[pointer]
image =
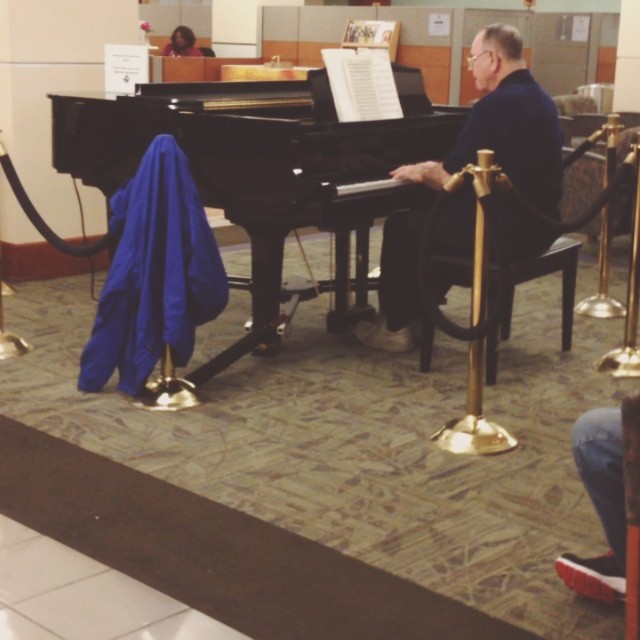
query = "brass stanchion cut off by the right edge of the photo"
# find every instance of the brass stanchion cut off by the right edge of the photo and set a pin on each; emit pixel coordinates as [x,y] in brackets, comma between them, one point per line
[625,361]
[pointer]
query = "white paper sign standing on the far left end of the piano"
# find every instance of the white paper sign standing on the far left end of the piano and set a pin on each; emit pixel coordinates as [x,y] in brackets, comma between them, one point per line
[124,66]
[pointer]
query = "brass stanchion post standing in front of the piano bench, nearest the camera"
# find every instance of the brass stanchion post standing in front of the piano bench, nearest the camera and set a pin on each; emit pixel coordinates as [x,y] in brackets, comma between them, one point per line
[474,434]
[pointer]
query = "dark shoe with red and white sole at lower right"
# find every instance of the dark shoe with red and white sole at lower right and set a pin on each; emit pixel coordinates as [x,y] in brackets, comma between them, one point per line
[597,578]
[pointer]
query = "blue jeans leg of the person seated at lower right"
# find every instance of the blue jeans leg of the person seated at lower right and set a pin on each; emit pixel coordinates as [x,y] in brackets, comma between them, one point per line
[597,449]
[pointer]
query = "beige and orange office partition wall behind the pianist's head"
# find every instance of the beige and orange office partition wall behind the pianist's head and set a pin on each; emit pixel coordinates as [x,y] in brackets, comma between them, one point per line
[560,62]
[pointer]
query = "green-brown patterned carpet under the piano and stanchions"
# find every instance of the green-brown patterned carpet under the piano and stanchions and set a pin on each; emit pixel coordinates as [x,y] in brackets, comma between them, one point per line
[331,441]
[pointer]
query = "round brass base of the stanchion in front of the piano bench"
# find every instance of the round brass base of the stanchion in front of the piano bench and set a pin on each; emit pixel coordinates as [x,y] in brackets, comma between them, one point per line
[473,435]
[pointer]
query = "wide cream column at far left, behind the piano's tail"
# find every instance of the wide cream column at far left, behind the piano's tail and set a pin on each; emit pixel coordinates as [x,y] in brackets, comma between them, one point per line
[51,47]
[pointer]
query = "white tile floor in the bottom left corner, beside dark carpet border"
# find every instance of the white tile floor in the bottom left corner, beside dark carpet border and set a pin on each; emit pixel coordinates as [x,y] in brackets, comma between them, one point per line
[51,592]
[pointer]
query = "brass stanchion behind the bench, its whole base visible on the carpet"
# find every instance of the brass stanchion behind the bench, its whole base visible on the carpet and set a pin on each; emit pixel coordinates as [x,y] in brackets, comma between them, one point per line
[602,305]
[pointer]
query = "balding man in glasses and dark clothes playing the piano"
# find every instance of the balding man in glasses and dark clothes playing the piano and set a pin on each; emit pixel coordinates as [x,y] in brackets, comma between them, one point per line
[517,120]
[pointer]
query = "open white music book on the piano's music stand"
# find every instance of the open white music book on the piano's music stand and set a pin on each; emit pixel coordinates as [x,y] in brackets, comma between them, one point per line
[362,84]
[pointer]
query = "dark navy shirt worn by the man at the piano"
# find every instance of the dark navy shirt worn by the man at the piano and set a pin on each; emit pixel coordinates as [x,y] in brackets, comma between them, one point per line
[519,123]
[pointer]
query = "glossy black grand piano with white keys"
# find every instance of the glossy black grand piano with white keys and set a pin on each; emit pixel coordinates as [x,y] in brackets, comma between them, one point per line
[273,156]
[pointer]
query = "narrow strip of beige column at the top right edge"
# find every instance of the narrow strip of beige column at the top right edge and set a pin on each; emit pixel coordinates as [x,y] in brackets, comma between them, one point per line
[626,96]
